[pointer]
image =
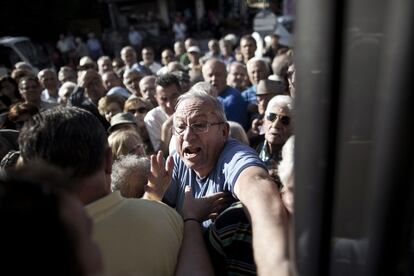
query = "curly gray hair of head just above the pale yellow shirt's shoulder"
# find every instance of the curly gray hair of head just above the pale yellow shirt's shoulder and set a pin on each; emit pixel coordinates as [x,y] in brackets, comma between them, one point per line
[127,165]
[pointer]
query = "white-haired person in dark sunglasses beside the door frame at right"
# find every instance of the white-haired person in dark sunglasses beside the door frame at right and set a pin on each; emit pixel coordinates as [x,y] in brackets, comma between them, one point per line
[278,127]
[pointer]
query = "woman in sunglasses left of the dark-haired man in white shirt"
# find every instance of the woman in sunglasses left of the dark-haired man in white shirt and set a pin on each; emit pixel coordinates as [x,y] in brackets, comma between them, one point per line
[139,107]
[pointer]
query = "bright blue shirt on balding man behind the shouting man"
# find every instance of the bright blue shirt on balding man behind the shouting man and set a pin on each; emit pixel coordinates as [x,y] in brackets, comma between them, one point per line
[234,106]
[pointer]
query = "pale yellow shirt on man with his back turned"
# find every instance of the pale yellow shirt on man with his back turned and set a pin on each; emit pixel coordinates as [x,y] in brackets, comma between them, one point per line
[136,236]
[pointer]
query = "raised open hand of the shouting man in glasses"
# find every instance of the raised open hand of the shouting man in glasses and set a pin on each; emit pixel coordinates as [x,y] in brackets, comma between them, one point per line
[159,177]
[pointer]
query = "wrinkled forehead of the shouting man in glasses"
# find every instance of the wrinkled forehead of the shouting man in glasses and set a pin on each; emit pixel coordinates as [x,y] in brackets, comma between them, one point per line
[193,108]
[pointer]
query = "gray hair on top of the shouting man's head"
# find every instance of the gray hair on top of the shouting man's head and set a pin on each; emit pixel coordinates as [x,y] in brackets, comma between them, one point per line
[203,96]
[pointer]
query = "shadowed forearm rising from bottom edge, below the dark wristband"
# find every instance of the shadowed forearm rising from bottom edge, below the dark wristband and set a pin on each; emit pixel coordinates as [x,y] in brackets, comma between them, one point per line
[193,258]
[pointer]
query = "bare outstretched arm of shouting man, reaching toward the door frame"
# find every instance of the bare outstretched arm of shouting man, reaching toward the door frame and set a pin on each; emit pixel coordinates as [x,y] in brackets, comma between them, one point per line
[260,196]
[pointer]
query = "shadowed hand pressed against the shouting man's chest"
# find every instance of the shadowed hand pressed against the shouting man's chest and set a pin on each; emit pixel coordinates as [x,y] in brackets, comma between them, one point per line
[204,208]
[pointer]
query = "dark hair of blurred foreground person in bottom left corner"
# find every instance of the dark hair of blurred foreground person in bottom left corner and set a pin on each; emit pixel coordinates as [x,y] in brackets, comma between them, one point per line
[32,222]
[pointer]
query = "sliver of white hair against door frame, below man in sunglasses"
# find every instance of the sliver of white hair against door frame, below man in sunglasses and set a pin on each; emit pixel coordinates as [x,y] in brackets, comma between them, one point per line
[286,165]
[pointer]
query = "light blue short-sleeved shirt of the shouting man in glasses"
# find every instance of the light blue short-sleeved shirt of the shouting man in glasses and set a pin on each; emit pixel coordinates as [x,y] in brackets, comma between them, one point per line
[234,158]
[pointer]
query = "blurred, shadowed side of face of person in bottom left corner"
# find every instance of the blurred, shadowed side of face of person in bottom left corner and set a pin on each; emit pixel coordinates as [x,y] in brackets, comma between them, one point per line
[80,227]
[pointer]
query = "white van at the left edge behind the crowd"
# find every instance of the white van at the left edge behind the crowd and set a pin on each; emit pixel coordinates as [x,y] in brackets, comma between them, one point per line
[15,49]
